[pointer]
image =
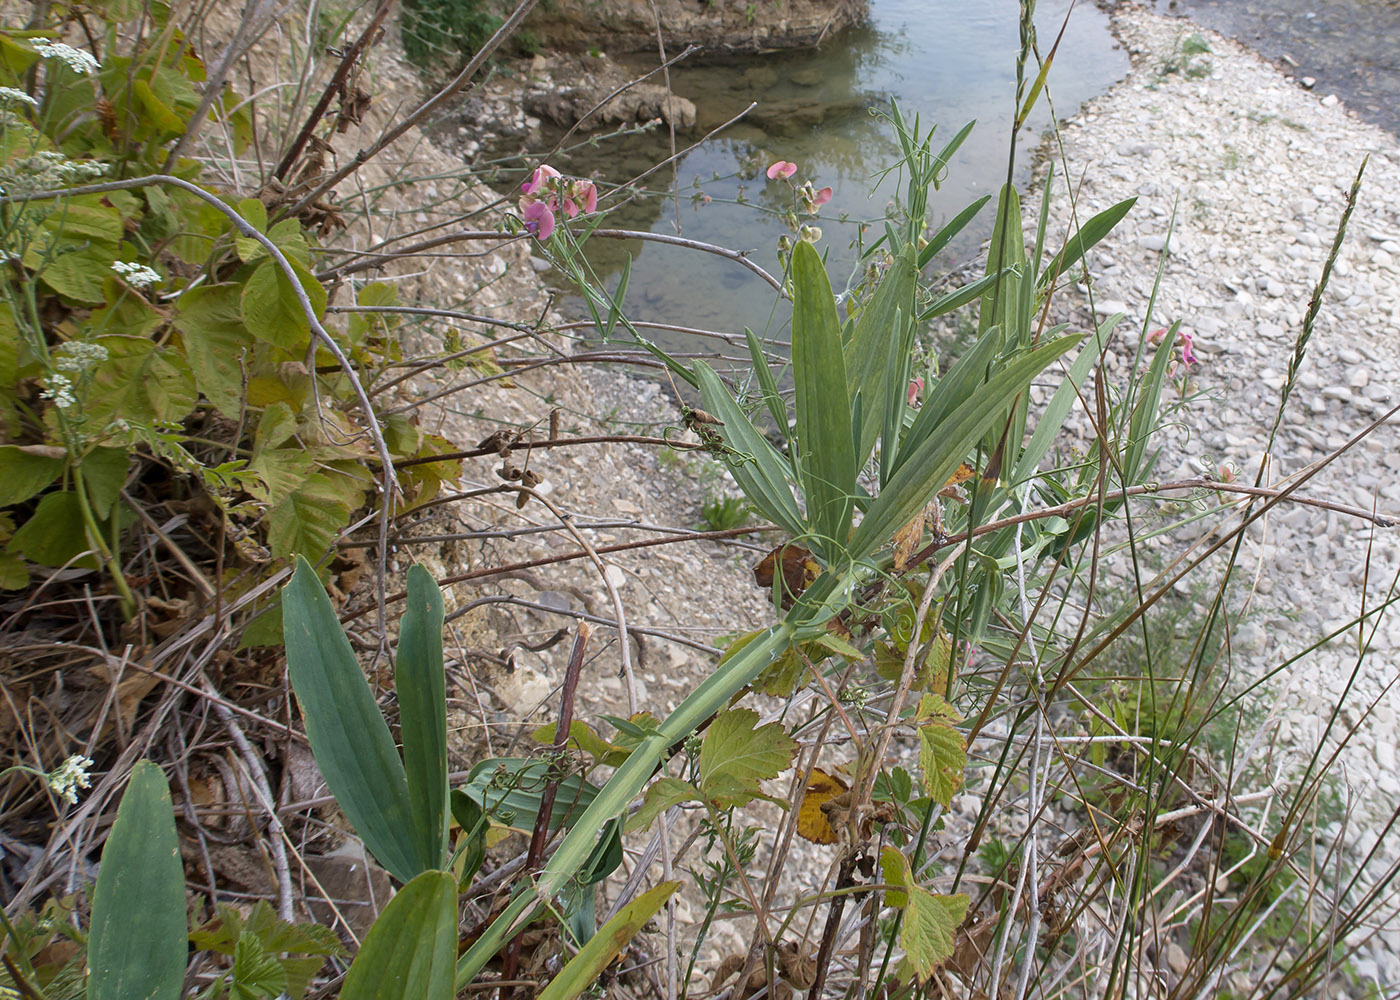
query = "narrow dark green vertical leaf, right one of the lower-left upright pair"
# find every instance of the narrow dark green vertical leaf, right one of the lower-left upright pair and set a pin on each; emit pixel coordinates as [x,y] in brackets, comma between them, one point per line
[421,684]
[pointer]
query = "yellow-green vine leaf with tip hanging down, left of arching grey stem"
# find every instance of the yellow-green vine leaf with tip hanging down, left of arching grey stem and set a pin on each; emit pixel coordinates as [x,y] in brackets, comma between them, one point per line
[218,345]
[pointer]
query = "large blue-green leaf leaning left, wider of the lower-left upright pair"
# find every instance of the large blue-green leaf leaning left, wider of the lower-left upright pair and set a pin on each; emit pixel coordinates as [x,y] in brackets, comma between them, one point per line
[348,733]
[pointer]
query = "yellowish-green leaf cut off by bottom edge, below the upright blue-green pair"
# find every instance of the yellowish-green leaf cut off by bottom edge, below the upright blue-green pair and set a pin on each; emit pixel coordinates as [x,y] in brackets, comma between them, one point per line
[412,947]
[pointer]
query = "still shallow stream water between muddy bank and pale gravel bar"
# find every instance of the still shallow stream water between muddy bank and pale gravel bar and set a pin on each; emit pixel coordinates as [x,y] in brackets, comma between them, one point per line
[946,64]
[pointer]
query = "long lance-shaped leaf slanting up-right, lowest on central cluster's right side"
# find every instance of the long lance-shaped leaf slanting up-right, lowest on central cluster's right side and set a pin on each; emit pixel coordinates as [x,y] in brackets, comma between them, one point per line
[927,466]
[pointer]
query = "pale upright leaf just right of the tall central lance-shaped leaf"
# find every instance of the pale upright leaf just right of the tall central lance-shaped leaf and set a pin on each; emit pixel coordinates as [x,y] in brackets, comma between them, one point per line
[881,324]
